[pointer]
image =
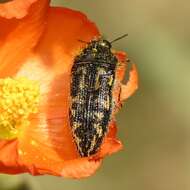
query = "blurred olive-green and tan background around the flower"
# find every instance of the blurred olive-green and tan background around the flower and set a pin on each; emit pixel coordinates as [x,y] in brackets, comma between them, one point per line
[154,124]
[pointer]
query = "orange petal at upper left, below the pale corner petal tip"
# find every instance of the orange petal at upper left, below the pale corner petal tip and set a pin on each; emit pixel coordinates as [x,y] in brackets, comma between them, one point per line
[19,37]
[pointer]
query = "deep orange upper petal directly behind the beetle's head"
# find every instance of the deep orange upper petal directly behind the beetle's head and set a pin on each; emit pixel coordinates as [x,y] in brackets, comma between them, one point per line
[59,47]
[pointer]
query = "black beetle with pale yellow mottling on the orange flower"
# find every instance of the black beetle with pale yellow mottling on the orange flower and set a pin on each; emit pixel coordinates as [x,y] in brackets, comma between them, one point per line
[92,80]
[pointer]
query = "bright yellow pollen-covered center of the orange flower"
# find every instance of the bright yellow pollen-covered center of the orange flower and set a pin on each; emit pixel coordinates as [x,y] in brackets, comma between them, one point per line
[19,98]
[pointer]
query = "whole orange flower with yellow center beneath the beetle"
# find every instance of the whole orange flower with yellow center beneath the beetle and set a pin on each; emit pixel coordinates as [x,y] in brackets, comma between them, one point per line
[37,48]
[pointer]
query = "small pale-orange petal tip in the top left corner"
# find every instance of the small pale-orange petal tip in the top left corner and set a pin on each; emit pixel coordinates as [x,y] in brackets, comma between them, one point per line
[15,8]
